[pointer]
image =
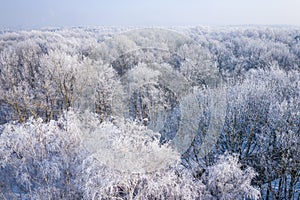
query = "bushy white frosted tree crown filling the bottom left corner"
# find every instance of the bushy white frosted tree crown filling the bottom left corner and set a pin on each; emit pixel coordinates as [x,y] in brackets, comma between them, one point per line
[41,160]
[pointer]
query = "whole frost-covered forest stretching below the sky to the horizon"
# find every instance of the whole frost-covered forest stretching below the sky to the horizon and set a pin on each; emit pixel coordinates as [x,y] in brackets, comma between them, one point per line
[150,113]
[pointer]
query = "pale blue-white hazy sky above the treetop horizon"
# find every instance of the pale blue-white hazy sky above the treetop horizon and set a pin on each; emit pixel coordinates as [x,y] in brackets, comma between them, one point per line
[52,13]
